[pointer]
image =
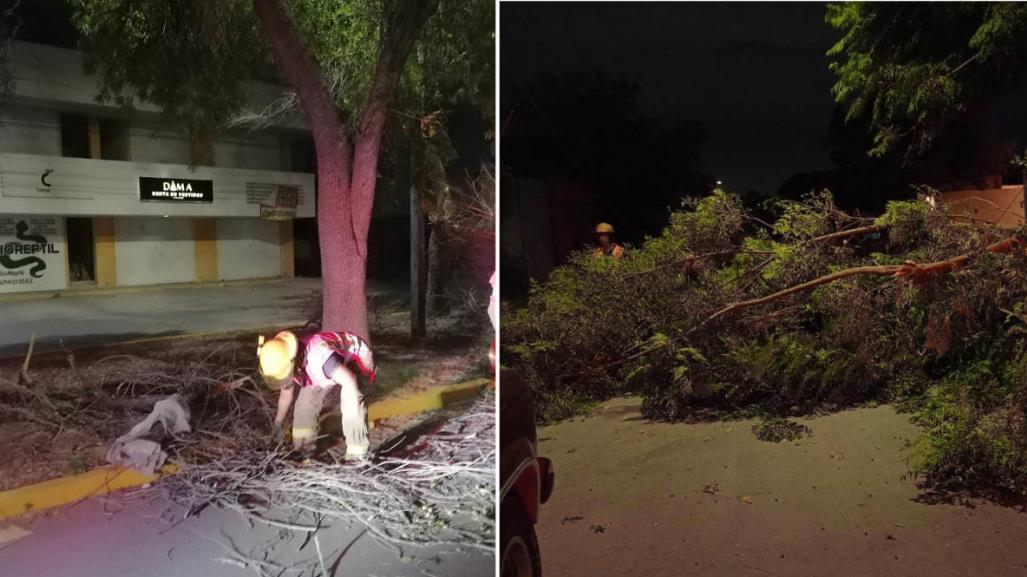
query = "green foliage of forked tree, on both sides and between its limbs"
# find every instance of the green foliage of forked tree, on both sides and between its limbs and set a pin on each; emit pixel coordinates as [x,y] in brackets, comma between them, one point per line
[193,59]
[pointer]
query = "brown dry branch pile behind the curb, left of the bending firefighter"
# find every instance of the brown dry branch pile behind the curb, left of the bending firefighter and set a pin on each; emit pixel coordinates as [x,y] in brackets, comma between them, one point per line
[104,399]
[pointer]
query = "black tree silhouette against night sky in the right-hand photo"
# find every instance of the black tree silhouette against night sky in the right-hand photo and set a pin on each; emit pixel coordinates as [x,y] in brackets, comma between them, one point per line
[586,127]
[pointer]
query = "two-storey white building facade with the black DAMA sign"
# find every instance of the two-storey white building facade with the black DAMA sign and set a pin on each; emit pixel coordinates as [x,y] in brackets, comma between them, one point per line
[93,196]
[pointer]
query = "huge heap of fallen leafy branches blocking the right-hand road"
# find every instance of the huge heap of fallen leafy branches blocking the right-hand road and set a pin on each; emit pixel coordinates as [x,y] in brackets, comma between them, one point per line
[728,313]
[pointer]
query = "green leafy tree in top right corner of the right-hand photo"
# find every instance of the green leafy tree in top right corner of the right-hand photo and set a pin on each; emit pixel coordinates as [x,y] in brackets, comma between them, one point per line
[925,74]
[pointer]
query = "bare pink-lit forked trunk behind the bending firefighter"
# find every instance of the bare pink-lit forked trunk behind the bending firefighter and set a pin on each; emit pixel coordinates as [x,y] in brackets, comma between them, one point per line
[347,177]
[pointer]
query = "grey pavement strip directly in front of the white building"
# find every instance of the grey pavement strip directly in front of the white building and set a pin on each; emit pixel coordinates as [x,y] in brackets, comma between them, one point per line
[105,319]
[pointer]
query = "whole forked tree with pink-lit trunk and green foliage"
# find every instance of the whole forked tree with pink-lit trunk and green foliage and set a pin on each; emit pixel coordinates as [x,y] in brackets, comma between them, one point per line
[347,62]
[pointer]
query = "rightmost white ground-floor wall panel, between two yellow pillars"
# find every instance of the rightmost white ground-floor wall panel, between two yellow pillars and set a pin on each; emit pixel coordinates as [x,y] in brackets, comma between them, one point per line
[248,249]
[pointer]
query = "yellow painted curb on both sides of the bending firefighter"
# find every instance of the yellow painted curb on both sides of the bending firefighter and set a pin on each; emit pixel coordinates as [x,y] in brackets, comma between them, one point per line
[102,481]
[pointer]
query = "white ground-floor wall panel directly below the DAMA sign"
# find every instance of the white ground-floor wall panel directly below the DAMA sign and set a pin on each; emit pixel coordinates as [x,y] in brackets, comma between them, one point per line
[155,251]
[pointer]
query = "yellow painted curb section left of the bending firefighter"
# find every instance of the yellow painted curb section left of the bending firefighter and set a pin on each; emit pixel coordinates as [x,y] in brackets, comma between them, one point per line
[70,489]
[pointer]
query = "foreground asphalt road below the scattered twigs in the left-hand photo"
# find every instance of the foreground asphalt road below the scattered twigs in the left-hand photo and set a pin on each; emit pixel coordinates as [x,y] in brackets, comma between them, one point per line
[108,538]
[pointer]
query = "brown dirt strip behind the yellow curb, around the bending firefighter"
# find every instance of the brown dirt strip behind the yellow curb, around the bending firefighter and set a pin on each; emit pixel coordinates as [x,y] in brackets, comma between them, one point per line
[33,452]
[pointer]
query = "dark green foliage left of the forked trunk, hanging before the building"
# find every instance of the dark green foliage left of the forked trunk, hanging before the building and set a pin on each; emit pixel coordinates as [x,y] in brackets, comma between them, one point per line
[189,58]
